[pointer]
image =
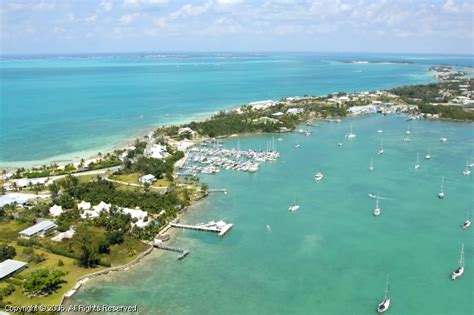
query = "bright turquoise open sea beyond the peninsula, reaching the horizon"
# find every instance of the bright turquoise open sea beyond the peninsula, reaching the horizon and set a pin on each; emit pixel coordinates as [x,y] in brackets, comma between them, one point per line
[65,107]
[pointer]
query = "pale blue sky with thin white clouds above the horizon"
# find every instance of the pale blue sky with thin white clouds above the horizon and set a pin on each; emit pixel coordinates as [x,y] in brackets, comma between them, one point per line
[81,26]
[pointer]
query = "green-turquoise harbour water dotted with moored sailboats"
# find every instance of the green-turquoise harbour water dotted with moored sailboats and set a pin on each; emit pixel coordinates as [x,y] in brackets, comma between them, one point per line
[332,255]
